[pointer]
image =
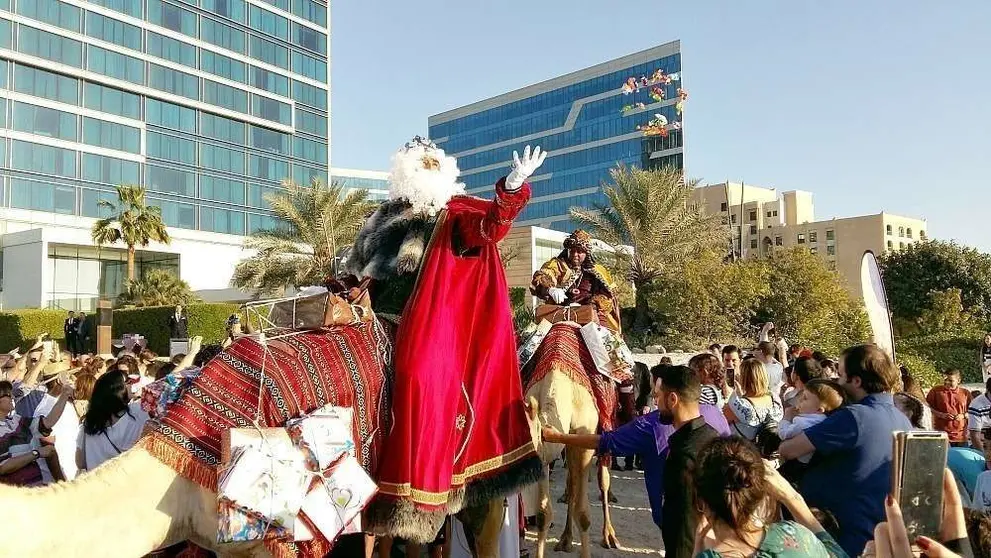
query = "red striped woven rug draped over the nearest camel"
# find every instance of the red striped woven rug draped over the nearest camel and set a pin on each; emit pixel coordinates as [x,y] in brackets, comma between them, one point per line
[346,366]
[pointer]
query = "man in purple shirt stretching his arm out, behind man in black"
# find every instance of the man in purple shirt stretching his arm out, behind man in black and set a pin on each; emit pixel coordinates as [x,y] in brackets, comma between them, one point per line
[646,437]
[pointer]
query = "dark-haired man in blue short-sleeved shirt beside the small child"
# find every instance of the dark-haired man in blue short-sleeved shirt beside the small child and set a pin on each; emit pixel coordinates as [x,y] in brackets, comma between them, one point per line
[850,473]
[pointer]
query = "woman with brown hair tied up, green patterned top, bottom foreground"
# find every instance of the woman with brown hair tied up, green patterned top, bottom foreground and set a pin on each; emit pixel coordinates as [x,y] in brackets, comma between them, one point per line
[732,485]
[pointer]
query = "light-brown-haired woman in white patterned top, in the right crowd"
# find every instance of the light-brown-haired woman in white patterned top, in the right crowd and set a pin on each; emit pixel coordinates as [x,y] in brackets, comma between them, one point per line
[751,408]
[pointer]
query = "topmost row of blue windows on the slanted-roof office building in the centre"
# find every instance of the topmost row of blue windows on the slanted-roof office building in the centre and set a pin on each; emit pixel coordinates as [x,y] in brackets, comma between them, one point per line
[558,97]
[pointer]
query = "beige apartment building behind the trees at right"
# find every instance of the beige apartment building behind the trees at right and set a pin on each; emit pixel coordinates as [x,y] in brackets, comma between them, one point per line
[761,220]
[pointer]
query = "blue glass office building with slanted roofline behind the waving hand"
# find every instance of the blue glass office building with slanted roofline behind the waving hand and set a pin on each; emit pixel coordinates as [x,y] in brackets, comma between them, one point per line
[579,118]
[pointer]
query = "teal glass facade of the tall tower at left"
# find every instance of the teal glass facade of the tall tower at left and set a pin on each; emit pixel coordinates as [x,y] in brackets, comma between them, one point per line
[210,104]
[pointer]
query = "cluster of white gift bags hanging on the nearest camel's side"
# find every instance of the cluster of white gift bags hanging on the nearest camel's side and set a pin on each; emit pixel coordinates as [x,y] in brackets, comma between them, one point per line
[292,483]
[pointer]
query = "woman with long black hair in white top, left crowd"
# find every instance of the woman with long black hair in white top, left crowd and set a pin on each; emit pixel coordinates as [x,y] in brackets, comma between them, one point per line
[112,424]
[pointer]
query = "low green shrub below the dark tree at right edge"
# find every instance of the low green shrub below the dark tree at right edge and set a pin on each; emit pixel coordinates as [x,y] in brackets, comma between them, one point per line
[944,350]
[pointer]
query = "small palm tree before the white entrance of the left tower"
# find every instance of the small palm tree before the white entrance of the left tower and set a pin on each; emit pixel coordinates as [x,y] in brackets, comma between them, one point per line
[132,221]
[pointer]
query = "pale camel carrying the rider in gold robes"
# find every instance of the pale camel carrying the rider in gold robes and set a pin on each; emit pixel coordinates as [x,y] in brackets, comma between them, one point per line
[557,401]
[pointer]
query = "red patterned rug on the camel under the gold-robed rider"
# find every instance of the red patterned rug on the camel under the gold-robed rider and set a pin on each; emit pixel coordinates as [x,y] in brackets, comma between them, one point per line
[564,350]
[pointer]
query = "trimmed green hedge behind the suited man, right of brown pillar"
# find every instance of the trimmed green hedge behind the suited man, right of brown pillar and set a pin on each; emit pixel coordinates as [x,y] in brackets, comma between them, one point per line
[208,320]
